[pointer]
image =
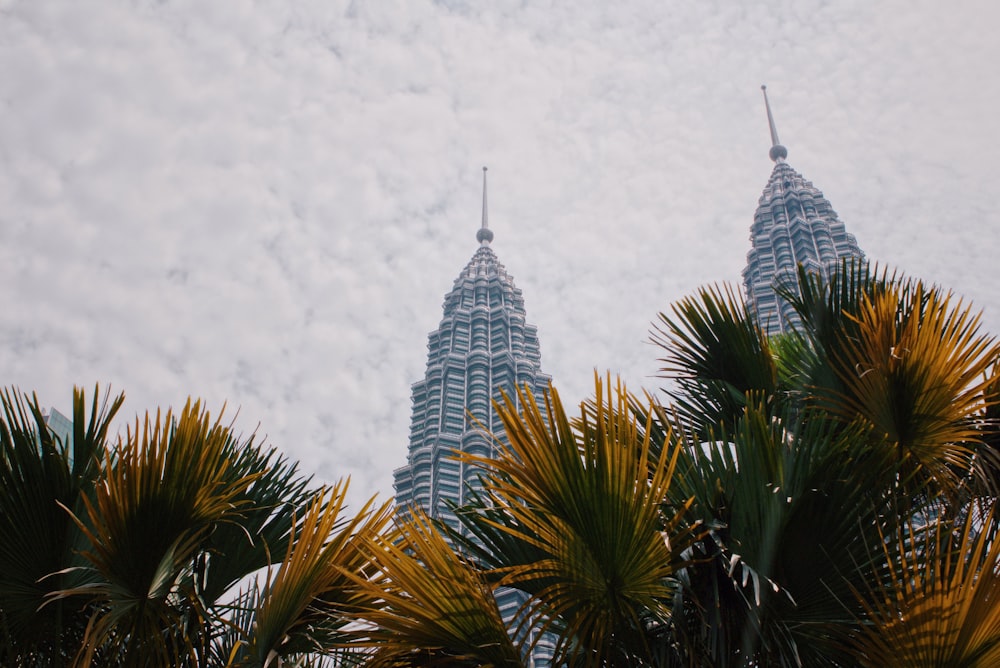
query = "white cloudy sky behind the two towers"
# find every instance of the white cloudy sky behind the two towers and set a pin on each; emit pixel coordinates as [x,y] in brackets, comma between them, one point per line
[263,203]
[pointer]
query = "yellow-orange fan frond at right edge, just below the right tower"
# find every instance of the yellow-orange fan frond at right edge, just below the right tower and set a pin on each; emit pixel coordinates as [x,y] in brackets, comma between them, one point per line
[916,371]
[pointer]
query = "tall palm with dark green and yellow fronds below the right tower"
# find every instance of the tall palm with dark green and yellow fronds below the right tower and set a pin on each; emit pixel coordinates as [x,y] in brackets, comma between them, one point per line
[802,452]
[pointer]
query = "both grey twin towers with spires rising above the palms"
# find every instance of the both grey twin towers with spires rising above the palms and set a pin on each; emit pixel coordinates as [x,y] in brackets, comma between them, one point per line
[484,345]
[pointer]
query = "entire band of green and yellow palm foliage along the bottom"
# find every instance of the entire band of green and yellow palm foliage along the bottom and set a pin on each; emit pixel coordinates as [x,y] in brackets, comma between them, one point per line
[820,498]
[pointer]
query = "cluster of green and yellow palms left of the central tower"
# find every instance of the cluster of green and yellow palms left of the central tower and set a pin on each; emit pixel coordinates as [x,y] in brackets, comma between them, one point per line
[136,553]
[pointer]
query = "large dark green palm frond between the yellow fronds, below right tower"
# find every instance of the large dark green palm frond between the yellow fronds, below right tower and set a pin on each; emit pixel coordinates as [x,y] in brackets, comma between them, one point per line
[787,500]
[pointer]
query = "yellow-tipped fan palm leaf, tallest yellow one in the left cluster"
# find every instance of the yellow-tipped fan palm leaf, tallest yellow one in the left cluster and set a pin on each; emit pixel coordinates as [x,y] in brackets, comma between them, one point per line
[163,488]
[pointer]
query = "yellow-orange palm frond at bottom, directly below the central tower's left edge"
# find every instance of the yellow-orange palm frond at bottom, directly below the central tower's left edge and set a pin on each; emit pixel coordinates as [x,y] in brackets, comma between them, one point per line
[434,607]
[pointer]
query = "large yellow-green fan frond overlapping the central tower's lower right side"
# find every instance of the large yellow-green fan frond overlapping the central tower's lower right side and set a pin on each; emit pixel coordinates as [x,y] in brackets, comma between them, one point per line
[589,494]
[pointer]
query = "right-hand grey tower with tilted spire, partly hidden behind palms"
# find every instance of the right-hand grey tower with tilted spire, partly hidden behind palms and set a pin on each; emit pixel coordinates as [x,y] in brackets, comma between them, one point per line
[794,224]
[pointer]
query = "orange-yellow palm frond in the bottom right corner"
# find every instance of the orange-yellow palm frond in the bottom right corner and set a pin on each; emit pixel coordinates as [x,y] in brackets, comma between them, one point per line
[940,604]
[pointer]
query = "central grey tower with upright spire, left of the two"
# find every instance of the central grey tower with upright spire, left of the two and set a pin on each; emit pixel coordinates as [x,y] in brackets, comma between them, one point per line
[483,346]
